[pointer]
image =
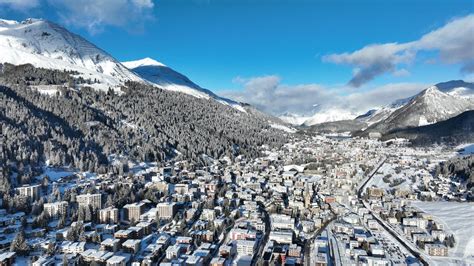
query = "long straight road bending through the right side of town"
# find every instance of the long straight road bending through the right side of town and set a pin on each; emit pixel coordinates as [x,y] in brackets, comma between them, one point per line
[400,239]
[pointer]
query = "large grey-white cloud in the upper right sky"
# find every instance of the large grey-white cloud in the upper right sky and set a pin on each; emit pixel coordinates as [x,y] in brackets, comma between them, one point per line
[453,41]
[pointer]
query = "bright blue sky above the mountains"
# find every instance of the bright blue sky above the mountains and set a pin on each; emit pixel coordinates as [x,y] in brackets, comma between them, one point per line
[222,45]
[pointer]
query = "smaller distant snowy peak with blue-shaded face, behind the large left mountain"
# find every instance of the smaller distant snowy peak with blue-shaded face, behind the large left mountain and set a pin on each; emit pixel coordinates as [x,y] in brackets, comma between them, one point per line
[169,79]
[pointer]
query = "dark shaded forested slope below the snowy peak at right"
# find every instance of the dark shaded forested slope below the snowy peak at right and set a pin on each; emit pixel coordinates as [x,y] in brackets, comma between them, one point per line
[455,130]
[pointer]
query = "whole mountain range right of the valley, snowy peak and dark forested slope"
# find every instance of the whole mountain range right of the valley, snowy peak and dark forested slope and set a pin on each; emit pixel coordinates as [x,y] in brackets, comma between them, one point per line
[440,112]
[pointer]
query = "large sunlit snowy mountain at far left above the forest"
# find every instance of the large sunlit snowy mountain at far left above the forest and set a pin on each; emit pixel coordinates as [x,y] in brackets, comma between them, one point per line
[48,45]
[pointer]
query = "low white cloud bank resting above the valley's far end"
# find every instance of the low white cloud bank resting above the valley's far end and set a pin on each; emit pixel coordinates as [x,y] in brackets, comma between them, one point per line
[268,94]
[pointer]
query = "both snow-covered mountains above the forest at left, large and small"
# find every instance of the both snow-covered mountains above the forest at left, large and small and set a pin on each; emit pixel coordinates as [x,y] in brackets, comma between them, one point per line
[47,45]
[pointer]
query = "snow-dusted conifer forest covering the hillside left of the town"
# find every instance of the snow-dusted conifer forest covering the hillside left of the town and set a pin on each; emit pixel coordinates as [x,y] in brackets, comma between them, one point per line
[79,126]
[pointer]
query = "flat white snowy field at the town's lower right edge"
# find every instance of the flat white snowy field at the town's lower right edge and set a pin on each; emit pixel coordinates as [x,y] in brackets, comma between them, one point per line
[458,219]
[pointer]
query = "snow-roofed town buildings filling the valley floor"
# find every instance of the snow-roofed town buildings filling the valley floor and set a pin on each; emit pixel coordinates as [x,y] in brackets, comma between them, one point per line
[299,205]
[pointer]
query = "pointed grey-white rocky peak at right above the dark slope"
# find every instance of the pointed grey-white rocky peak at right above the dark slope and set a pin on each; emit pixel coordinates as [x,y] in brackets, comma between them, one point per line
[428,107]
